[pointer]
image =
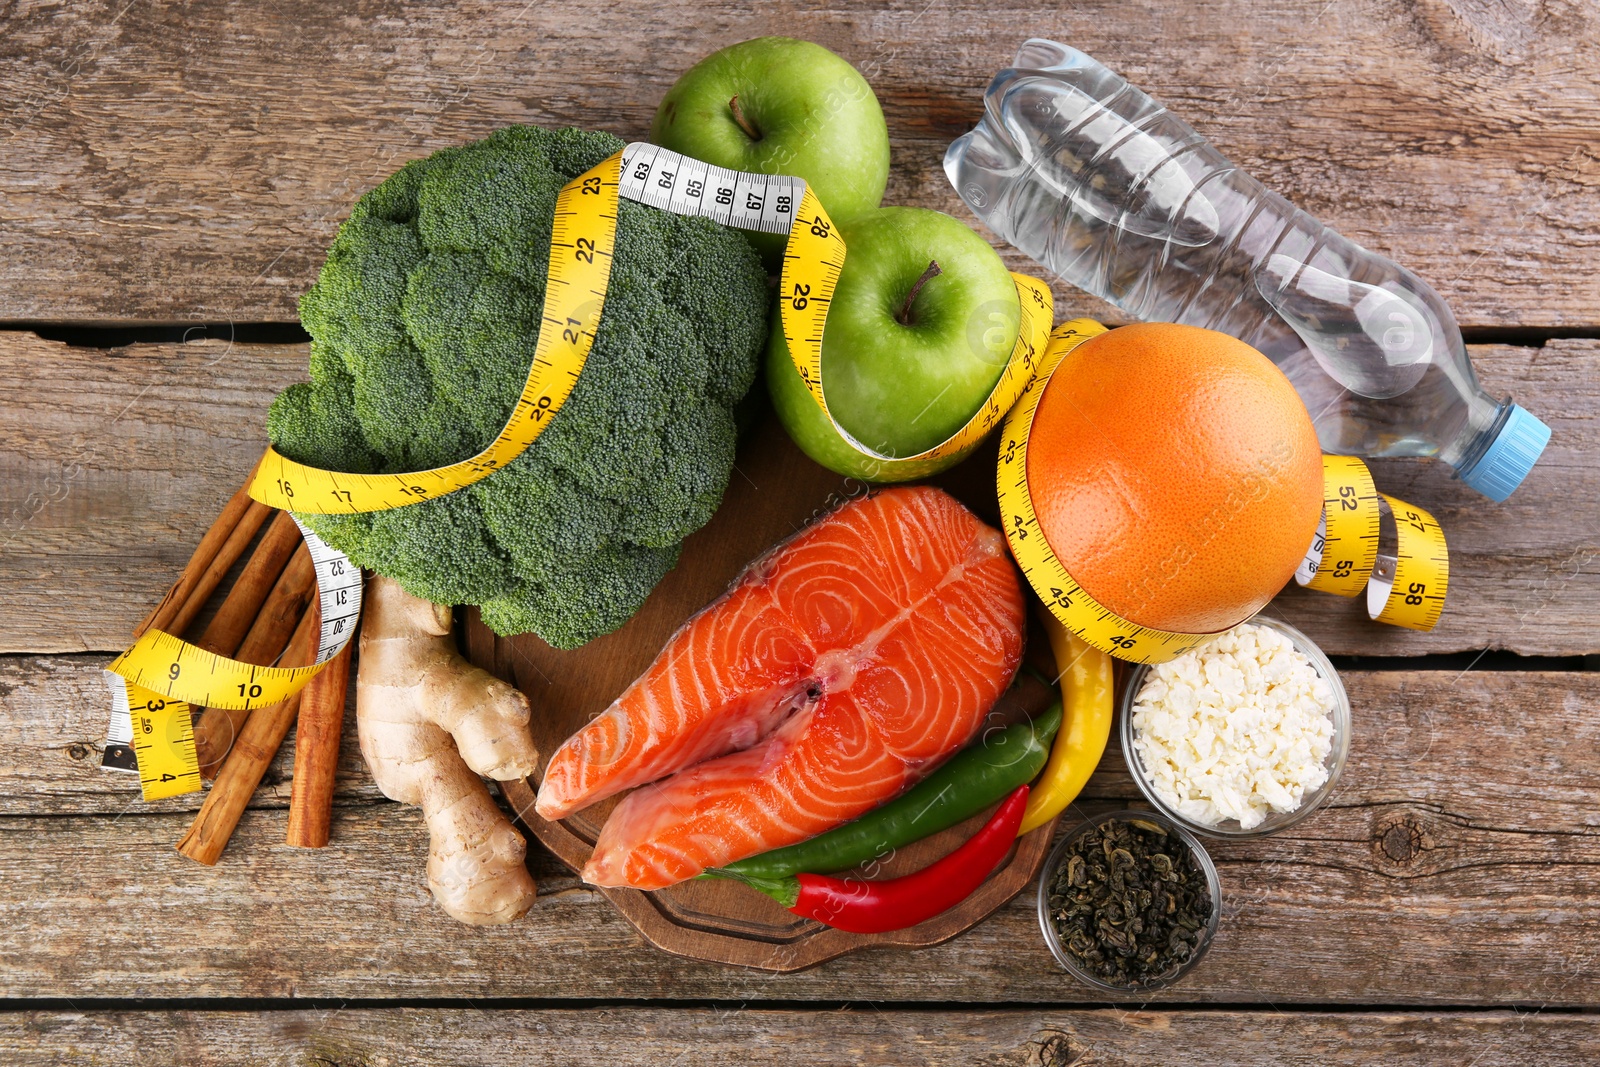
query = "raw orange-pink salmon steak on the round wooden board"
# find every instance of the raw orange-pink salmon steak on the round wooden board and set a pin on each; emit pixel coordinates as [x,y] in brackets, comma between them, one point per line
[839,669]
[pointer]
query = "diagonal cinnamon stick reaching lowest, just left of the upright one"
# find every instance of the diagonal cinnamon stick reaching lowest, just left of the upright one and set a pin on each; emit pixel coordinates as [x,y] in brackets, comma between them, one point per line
[249,759]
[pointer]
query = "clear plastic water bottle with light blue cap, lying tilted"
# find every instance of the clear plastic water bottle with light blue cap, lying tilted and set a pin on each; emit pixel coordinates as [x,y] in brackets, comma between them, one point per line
[1106,188]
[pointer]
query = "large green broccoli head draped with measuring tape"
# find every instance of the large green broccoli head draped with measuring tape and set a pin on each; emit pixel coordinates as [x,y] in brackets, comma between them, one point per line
[423,329]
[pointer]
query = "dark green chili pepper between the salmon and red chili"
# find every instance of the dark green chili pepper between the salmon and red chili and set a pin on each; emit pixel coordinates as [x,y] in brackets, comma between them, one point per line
[970,781]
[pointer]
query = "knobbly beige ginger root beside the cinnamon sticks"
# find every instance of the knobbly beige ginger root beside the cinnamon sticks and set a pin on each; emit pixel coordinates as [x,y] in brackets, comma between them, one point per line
[430,725]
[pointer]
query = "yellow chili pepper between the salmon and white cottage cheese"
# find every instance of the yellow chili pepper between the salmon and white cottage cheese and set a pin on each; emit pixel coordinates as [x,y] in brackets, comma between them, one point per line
[1087,713]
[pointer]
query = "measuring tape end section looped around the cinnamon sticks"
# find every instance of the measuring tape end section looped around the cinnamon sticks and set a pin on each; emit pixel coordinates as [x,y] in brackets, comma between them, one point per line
[159,684]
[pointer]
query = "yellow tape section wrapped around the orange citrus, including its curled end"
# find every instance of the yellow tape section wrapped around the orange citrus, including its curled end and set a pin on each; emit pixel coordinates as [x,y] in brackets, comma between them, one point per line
[1404,589]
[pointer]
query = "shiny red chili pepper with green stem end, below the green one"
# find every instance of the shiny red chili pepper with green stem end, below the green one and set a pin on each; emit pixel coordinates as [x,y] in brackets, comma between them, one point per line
[873,908]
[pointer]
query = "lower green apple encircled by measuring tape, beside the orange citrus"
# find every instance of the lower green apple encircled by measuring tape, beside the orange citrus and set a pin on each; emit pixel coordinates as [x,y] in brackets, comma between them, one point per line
[919,332]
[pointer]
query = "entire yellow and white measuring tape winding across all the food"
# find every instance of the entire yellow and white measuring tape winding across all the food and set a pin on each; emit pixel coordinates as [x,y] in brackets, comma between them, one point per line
[161,677]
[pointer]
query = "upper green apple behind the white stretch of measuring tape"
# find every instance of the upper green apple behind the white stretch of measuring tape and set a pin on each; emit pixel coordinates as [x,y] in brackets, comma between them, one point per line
[782,106]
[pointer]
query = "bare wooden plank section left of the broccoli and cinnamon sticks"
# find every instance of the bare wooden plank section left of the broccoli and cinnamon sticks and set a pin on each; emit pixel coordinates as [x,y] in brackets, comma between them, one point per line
[116,465]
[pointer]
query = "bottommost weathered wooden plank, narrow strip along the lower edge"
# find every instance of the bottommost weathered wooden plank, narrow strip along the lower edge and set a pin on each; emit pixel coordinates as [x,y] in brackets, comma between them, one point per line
[618,1037]
